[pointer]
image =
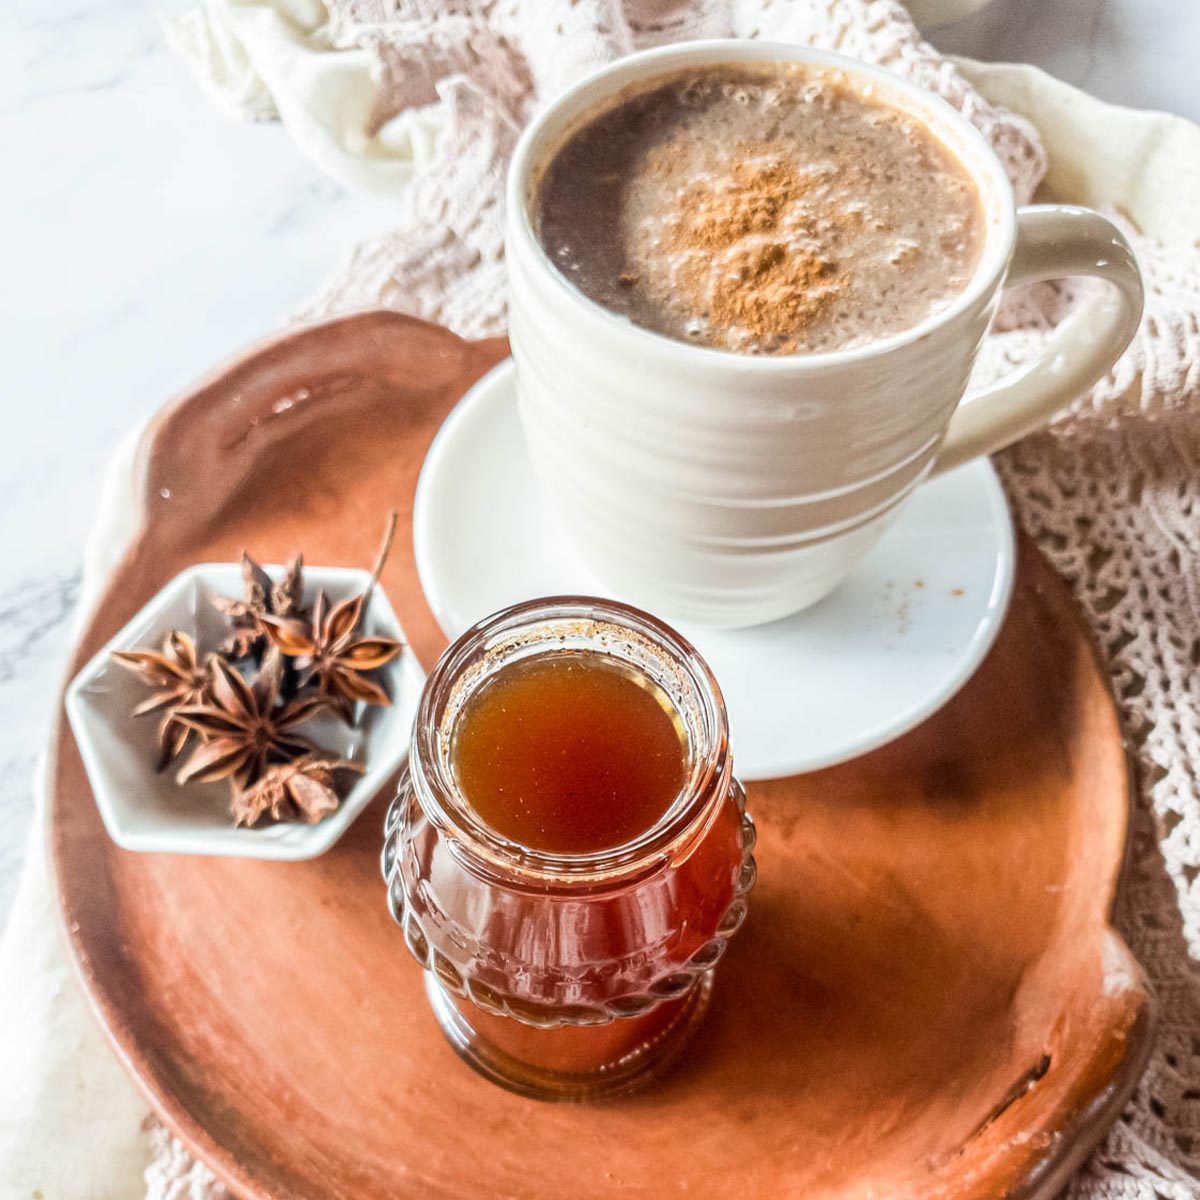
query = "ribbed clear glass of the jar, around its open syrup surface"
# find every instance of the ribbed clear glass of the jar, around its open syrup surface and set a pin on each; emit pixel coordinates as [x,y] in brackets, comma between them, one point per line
[560,975]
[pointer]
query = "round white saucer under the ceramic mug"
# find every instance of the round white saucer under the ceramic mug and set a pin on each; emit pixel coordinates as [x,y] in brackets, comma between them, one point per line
[890,647]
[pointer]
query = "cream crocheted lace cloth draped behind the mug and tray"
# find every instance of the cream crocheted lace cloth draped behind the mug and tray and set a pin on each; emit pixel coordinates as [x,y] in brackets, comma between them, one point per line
[422,100]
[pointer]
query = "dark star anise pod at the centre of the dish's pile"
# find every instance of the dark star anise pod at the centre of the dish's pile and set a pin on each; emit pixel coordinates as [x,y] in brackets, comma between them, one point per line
[245,728]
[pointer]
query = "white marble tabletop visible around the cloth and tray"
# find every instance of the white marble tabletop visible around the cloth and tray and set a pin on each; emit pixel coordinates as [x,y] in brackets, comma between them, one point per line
[146,238]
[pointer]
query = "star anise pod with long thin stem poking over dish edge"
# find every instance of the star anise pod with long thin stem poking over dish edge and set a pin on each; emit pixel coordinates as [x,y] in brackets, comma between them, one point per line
[328,647]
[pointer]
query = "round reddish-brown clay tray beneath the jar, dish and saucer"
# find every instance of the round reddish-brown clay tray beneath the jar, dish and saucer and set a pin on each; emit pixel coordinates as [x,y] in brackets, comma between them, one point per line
[927,1000]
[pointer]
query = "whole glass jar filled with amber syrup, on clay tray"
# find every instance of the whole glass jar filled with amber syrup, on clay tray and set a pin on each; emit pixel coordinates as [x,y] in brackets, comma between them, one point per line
[569,851]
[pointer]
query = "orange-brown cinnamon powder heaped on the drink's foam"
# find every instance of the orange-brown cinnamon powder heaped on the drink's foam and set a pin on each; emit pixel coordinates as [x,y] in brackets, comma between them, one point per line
[743,245]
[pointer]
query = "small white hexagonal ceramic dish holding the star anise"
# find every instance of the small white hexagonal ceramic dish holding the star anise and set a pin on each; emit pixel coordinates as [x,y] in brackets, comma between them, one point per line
[149,812]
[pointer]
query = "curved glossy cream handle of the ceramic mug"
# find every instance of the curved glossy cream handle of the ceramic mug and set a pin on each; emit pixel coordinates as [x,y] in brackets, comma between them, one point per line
[1053,242]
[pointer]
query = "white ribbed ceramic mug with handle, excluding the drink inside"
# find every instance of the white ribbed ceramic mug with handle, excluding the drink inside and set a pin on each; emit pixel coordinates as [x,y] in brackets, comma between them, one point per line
[731,490]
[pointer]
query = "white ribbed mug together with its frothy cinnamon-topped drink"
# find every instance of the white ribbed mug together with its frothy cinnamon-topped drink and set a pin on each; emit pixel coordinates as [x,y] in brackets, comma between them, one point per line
[749,283]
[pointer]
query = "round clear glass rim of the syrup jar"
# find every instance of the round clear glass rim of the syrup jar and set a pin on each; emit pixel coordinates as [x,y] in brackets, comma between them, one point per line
[529,626]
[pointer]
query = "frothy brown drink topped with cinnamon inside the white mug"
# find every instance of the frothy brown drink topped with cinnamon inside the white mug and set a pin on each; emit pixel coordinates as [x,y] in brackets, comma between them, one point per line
[763,209]
